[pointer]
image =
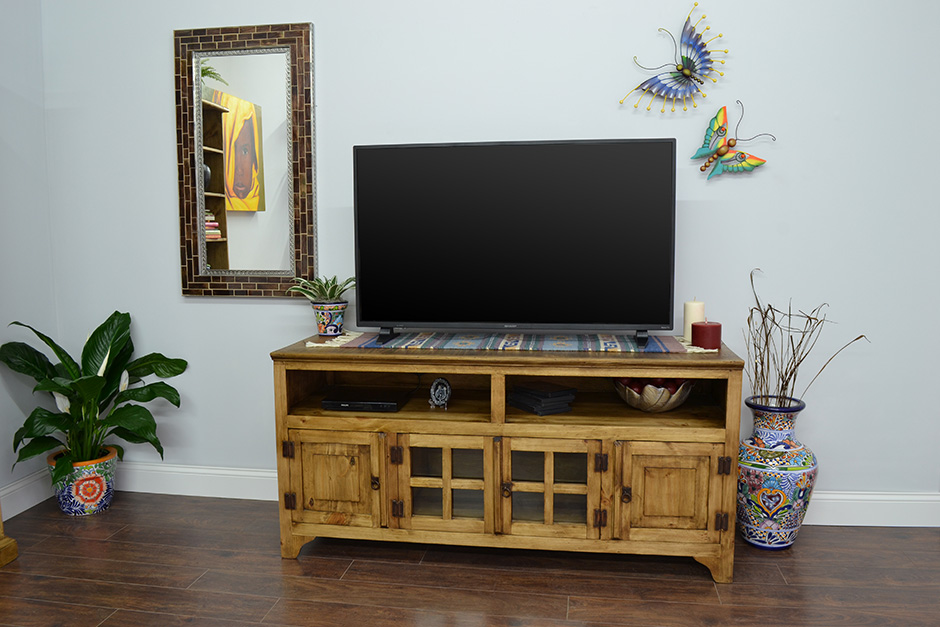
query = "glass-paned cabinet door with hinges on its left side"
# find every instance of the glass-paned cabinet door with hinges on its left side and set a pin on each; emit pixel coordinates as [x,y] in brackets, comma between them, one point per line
[445,483]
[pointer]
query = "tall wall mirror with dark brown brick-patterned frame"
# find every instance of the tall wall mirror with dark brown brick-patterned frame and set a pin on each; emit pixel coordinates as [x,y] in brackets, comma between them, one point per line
[245,155]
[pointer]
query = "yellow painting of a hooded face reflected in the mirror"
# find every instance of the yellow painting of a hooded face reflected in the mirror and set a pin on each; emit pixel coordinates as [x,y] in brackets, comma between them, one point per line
[243,156]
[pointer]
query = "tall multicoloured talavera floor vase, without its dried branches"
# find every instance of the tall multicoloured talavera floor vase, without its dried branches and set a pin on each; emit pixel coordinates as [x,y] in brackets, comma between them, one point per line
[776,475]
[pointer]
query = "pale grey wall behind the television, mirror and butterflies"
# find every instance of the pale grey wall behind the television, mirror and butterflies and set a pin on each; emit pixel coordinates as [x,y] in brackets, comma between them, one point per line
[844,211]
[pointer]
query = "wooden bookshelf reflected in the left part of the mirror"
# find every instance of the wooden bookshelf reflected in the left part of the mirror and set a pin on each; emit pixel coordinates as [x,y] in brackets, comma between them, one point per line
[212,155]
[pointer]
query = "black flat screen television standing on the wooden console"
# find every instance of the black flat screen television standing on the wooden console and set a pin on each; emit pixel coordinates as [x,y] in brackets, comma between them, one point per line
[574,236]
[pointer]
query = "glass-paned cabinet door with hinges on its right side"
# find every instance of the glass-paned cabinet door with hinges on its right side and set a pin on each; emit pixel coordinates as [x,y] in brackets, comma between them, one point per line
[554,488]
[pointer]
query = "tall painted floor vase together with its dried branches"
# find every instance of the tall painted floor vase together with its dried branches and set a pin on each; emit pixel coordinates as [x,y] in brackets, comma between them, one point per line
[776,472]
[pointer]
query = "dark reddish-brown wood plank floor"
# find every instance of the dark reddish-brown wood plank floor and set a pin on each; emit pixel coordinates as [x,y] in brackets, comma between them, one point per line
[159,560]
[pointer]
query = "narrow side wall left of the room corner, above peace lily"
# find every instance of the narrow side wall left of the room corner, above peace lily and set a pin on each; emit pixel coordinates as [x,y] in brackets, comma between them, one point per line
[27,277]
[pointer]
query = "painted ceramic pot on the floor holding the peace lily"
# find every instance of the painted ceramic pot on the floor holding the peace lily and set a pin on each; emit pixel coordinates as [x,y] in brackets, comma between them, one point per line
[89,488]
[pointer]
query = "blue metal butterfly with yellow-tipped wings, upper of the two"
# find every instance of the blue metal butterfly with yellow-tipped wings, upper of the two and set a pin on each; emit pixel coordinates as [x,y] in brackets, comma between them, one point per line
[693,65]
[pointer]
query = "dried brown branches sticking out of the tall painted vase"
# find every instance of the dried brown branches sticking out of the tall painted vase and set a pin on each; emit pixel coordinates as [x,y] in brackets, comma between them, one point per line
[777,344]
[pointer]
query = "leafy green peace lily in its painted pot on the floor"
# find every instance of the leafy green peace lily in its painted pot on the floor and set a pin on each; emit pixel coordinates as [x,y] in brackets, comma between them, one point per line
[97,400]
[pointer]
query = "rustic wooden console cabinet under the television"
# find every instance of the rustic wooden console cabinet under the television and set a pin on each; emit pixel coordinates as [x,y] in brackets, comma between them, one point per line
[603,477]
